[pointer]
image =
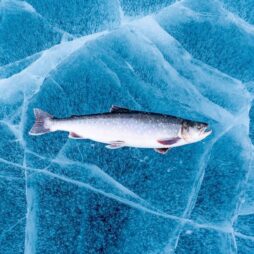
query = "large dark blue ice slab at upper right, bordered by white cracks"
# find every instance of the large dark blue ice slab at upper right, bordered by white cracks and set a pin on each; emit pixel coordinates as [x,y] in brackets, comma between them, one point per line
[229,46]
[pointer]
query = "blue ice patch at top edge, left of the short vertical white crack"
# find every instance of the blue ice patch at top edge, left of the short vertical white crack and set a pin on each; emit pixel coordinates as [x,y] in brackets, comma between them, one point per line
[79,17]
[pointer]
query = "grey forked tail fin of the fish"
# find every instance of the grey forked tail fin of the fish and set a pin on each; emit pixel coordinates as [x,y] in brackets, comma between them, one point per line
[42,122]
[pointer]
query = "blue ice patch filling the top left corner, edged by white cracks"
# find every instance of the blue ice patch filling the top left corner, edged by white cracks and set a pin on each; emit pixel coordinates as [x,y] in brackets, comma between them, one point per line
[25,31]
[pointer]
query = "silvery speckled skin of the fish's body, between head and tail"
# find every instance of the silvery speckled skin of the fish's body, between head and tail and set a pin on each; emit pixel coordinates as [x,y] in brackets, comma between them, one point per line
[130,128]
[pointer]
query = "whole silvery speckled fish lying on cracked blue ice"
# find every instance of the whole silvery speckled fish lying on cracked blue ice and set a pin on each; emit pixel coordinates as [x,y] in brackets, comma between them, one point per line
[123,127]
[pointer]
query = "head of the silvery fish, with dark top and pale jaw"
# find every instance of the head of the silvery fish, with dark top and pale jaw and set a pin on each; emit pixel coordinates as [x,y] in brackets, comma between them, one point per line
[192,131]
